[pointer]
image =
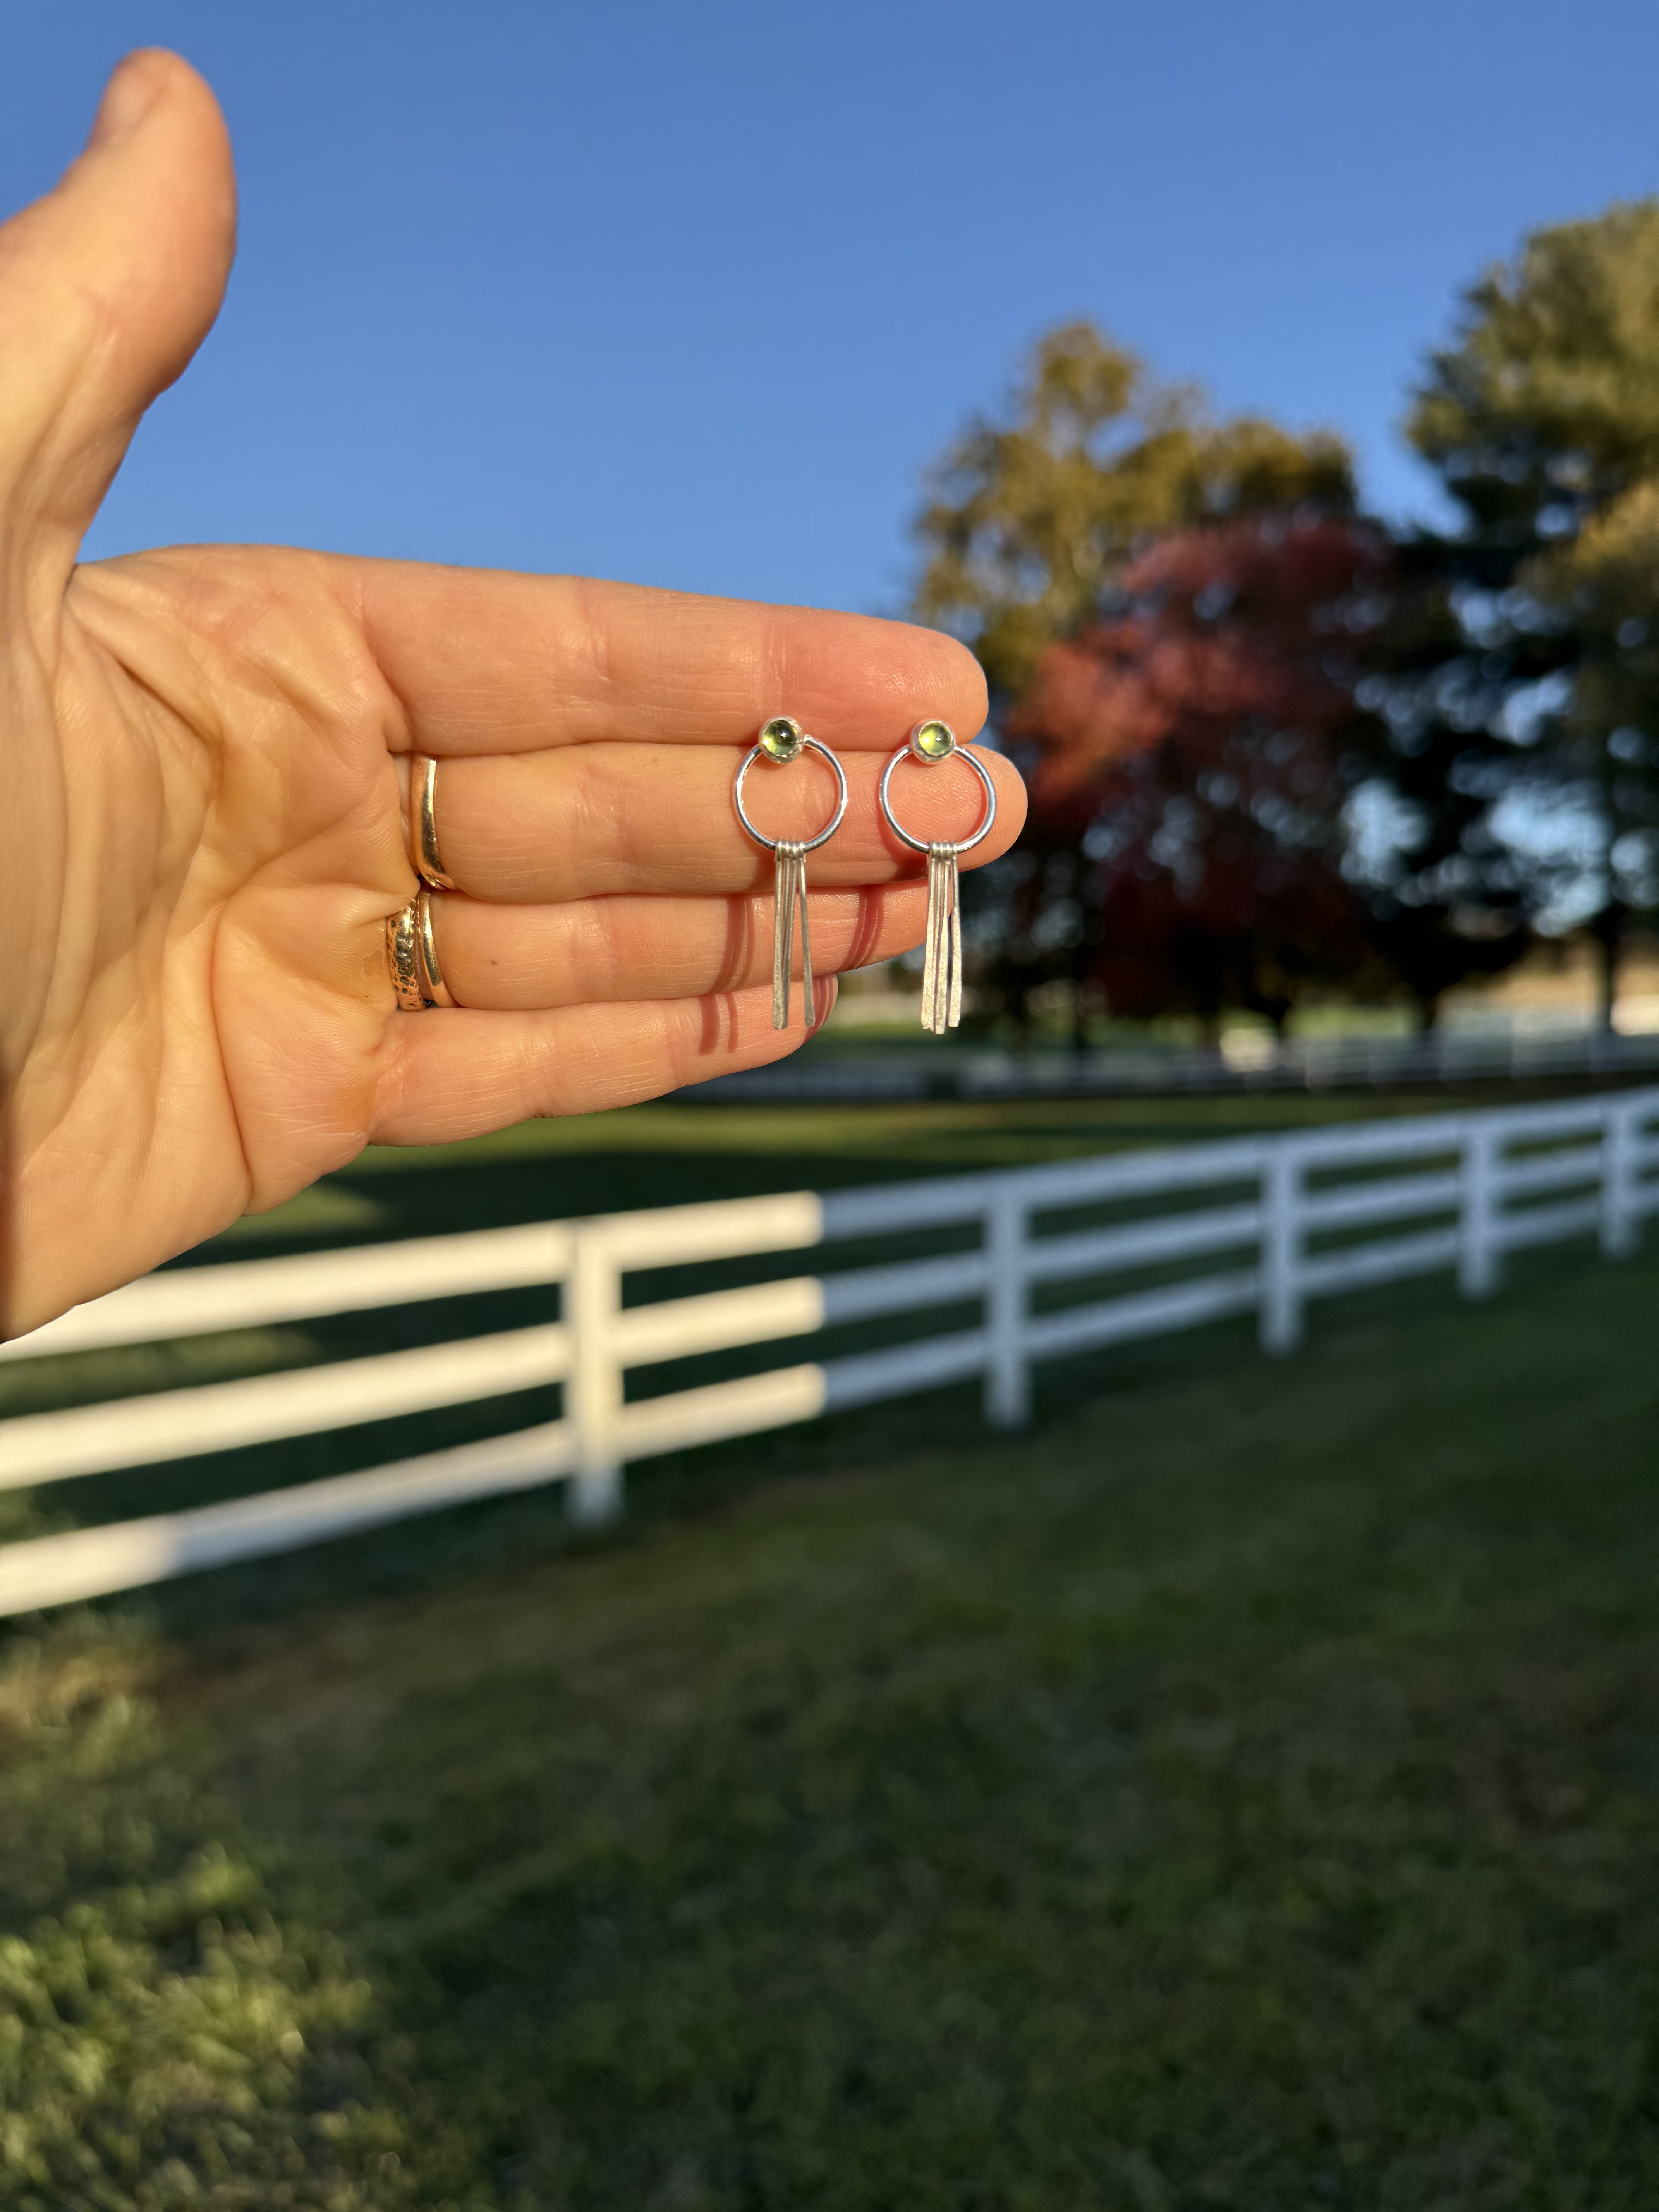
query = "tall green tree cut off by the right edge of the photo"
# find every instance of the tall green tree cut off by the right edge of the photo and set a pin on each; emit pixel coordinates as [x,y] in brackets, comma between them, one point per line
[1516,671]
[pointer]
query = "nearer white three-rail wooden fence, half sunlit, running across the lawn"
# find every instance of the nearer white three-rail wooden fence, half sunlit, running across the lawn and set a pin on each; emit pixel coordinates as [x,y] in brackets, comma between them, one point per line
[1202,1233]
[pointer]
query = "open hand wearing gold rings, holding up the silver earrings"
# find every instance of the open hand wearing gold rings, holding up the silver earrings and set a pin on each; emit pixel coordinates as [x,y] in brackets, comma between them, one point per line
[207,758]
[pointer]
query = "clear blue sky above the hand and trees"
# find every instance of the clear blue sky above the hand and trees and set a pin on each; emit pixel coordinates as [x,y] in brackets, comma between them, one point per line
[691,293]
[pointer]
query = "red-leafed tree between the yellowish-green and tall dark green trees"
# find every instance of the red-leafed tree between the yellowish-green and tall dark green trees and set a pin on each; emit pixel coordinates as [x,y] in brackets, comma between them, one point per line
[1191,764]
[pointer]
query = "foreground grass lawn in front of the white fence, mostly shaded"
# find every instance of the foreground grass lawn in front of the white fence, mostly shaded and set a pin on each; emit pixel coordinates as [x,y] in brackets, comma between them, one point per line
[1240,1793]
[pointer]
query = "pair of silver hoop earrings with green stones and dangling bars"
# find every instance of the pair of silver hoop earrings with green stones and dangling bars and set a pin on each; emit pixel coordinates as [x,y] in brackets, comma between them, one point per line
[932,742]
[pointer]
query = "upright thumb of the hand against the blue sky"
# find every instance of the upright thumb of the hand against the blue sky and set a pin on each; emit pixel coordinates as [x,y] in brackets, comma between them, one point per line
[107,289]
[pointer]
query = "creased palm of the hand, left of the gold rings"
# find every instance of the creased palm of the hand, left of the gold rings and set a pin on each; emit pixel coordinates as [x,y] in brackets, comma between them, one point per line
[222,744]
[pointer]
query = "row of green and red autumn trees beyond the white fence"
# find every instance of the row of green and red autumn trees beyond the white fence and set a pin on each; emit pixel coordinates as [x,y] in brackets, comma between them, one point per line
[1280,749]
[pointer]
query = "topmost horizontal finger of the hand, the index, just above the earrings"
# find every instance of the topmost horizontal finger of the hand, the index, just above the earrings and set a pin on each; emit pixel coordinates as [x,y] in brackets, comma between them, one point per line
[494,662]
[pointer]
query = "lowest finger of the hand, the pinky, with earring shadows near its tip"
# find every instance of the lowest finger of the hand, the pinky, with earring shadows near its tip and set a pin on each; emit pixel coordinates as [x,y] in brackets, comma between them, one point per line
[463,1074]
